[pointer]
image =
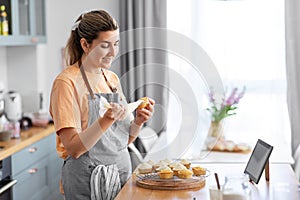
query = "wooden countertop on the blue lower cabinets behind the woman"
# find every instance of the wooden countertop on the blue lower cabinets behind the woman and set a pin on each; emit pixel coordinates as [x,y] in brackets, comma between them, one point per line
[27,138]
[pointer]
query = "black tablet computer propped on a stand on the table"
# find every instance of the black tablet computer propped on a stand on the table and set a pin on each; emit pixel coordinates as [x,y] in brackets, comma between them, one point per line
[258,159]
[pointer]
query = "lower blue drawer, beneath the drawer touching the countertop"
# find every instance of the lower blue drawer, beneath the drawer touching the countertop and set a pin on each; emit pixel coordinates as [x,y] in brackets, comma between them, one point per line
[32,182]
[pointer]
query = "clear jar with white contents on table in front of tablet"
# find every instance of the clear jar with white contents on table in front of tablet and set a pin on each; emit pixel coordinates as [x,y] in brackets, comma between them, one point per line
[236,188]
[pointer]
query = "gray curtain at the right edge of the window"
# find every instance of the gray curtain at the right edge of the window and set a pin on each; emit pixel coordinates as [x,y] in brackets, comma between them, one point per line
[292,20]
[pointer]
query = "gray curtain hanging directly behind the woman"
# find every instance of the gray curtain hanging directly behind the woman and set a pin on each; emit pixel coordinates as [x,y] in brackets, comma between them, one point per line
[143,68]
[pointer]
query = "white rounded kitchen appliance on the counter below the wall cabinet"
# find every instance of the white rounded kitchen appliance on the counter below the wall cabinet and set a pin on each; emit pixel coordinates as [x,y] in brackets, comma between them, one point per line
[13,106]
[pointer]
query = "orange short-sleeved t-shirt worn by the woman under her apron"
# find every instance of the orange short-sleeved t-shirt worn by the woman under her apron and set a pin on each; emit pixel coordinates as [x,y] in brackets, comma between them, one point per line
[69,102]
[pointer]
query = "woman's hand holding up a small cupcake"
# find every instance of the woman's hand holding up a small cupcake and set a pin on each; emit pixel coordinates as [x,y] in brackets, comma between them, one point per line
[144,114]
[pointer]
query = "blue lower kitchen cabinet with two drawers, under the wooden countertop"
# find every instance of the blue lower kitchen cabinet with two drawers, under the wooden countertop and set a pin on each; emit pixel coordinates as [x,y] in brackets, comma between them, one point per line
[37,171]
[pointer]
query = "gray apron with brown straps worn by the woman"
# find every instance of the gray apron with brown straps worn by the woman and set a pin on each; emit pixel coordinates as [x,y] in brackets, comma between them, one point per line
[111,149]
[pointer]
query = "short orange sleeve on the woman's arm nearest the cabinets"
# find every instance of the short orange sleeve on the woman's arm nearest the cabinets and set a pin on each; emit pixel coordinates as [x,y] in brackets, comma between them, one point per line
[64,107]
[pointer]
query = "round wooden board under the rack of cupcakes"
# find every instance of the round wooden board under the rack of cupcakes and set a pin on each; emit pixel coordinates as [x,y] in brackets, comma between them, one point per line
[175,183]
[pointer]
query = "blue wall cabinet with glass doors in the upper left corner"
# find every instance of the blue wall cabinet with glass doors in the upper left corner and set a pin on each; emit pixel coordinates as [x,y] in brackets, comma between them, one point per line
[27,22]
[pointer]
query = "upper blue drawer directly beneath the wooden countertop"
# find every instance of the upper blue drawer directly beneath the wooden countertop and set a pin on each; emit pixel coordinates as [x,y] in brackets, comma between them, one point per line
[30,155]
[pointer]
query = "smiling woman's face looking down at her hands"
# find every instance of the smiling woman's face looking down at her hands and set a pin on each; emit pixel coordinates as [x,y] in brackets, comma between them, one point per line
[103,49]
